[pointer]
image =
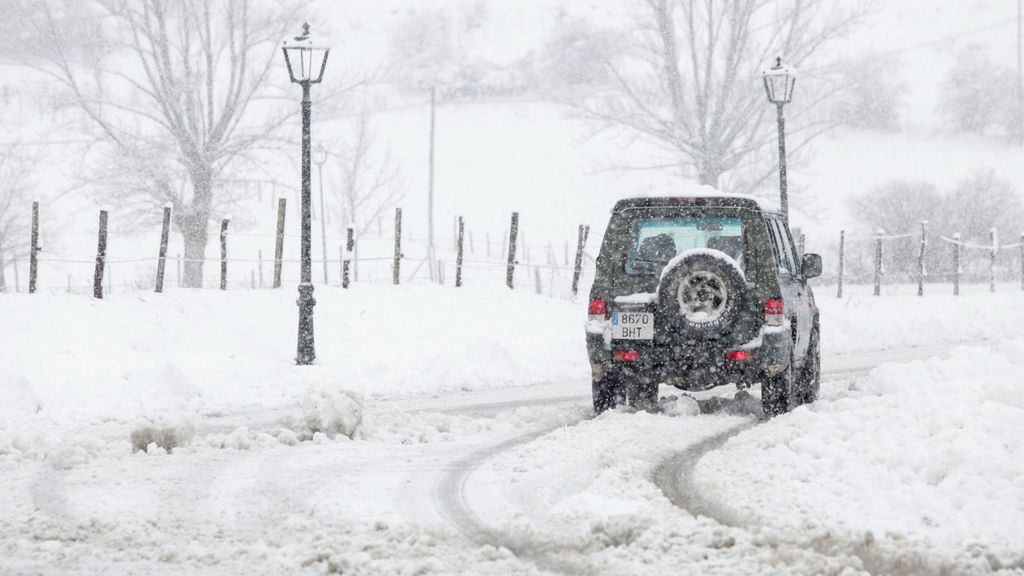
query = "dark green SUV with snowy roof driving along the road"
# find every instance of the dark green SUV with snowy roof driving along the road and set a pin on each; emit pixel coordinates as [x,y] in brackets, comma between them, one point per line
[700,291]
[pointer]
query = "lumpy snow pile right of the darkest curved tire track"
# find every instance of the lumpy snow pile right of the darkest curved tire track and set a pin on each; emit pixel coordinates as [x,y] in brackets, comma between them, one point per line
[931,452]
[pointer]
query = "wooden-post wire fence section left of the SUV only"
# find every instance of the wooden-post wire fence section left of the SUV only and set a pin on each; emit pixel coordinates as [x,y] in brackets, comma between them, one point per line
[259,261]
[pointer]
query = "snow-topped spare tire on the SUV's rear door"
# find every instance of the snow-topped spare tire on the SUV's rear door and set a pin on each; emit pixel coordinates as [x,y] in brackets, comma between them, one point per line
[702,294]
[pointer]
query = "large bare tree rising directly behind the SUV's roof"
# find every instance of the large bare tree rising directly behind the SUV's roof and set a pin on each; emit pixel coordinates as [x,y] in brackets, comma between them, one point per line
[691,84]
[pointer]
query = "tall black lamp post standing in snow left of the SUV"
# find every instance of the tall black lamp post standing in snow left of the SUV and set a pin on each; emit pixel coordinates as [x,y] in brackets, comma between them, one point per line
[307,61]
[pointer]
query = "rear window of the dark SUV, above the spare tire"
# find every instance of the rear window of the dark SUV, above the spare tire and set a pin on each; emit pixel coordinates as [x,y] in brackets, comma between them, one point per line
[658,240]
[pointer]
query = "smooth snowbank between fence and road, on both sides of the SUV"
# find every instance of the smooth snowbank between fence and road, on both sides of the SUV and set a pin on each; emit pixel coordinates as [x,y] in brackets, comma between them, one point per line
[72,361]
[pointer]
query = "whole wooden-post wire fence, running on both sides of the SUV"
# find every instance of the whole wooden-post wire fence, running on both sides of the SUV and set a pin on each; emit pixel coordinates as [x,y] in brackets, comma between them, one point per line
[260,261]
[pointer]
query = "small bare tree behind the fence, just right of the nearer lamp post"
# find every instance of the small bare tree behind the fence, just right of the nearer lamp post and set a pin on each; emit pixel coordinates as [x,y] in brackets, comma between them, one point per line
[371,183]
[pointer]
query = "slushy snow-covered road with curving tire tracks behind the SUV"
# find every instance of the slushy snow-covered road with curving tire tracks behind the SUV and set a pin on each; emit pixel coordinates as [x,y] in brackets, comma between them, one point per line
[506,481]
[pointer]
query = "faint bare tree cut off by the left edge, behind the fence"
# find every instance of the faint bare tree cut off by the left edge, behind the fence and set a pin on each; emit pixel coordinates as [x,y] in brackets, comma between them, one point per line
[16,191]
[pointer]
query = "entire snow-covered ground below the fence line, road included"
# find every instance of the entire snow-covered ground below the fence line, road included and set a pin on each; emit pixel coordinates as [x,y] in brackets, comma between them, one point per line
[429,402]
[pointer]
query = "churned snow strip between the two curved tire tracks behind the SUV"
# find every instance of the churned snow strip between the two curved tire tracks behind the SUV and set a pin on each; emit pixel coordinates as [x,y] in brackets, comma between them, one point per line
[582,501]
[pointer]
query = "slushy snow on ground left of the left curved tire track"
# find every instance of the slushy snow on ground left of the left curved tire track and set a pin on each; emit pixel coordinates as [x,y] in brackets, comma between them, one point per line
[255,506]
